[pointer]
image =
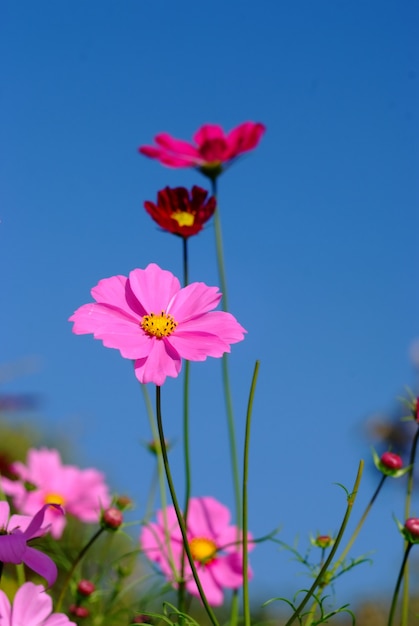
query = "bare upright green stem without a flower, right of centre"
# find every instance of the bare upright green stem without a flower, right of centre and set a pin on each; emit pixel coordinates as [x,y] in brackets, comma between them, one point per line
[246,603]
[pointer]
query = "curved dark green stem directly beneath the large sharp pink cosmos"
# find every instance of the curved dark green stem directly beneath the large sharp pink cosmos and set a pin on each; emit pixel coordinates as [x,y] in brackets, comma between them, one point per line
[179,516]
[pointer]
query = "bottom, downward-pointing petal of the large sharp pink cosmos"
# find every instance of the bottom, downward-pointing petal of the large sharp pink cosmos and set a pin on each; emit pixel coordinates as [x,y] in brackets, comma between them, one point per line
[162,361]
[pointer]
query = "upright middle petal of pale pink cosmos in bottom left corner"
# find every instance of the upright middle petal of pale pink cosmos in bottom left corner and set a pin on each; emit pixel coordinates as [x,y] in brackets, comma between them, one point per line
[31,605]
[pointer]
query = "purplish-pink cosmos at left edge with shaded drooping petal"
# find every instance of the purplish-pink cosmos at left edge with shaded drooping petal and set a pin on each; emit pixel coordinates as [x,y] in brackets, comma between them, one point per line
[14,535]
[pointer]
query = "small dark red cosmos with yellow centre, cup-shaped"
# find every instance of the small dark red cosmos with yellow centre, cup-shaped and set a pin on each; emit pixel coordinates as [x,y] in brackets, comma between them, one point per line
[180,212]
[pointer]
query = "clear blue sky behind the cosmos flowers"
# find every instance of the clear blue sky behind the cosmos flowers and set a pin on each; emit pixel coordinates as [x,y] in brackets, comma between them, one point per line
[320,228]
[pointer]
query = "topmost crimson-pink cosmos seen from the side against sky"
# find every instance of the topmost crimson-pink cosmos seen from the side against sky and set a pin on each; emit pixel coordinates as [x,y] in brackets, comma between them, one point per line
[213,148]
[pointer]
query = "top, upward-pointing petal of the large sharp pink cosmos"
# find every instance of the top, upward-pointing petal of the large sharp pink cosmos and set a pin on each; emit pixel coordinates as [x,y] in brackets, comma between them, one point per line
[154,288]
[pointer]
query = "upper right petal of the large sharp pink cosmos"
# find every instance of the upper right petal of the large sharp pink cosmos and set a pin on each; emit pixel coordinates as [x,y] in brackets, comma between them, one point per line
[194,300]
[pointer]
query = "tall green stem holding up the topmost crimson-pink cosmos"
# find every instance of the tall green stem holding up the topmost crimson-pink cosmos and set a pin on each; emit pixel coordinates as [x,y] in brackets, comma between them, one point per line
[225,370]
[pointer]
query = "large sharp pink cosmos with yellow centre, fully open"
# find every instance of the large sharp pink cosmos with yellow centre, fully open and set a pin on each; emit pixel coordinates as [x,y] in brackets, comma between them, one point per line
[149,318]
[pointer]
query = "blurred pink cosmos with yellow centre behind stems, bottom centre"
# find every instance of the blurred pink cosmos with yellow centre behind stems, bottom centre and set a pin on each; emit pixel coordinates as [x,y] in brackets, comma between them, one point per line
[213,544]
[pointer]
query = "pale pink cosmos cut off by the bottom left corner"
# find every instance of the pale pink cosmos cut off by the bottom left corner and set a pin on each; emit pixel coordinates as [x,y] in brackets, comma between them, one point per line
[31,607]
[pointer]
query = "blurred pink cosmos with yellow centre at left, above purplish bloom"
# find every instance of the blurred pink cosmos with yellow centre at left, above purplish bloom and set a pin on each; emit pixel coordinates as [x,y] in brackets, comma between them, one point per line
[81,493]
